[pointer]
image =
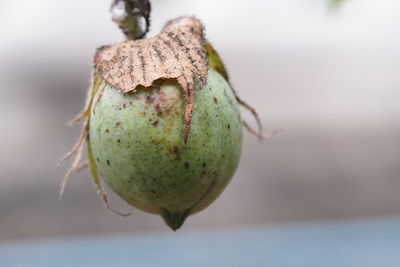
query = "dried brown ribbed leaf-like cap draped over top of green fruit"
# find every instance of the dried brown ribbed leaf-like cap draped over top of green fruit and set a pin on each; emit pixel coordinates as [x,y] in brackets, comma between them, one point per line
[177,53]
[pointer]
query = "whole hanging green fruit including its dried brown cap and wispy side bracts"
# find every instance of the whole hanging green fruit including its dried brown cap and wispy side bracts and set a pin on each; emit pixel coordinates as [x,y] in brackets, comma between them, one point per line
[163,126]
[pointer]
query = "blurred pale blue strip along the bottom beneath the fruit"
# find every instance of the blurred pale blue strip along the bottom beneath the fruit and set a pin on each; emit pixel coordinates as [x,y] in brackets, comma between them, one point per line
[340,244]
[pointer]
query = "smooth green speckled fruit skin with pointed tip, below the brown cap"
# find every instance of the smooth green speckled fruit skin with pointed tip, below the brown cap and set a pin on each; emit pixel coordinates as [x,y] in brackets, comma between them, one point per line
[138,146]
